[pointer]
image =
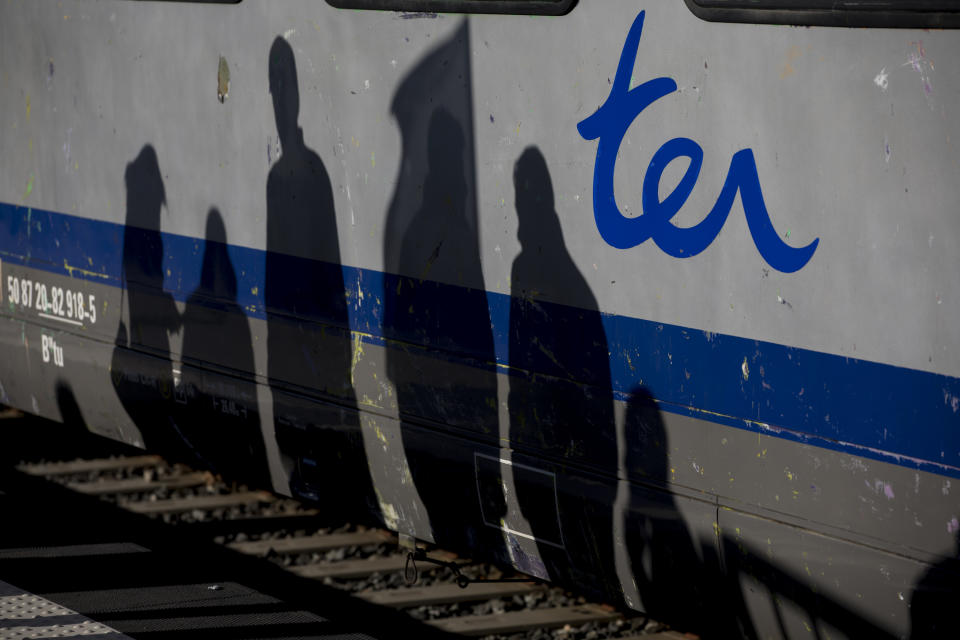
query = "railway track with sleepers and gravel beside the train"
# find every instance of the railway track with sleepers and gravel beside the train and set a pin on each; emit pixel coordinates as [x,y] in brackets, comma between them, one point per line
[366,562]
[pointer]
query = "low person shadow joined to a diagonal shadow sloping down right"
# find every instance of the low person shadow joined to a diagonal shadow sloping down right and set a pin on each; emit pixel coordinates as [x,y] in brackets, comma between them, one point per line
[705,587]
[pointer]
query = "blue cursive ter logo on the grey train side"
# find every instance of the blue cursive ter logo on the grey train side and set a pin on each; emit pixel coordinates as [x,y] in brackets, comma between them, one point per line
[610,123]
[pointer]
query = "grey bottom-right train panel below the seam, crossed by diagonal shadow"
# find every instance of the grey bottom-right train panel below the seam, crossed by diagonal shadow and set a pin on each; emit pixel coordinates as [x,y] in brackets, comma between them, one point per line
[860,592]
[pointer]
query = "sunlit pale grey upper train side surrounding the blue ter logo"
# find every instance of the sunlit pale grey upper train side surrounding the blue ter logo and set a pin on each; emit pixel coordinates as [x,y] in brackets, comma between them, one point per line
[842,170]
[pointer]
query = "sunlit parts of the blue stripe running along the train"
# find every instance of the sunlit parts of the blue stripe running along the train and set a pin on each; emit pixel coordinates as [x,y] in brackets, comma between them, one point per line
[870,409]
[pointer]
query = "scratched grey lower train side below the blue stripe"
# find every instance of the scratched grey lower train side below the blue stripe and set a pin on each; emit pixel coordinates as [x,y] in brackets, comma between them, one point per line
[678,456]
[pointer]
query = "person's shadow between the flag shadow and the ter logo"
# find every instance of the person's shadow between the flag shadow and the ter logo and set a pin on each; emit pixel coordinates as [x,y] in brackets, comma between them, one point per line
[560,401]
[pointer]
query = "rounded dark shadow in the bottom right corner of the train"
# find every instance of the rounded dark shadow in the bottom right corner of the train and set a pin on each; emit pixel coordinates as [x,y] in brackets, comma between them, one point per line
[936,597]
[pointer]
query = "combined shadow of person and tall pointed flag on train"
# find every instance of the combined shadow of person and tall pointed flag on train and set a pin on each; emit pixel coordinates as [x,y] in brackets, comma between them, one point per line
[436,315]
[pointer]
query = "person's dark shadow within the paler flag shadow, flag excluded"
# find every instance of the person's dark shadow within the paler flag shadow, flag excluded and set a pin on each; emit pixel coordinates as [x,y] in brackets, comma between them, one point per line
[441,240]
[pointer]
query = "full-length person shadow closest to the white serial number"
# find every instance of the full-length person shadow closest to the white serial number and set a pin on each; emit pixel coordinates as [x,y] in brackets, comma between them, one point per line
[144,383]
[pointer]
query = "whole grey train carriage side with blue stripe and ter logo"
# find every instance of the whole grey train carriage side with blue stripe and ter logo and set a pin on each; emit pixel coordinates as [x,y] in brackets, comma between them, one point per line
[626,298]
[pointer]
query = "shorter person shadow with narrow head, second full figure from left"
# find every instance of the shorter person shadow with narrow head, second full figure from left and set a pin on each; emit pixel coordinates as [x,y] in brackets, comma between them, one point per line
[217,414]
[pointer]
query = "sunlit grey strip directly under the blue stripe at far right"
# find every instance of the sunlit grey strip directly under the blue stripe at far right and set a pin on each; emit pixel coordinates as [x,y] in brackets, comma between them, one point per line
[871,502]
